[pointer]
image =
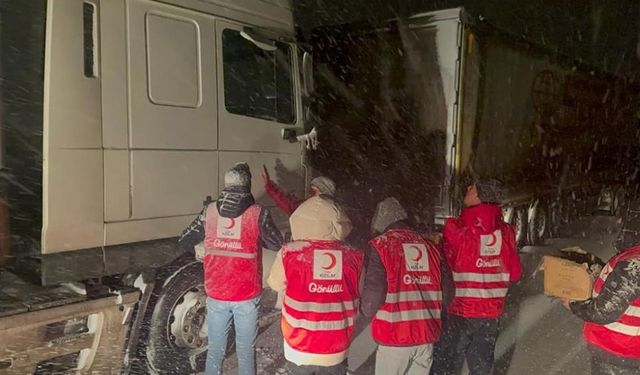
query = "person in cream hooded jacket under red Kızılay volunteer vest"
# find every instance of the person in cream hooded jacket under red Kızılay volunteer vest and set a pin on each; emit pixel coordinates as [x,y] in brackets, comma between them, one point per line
[319,275]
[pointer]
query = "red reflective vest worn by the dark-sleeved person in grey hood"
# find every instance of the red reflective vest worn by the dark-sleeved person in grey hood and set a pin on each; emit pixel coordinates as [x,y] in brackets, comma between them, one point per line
[410,314]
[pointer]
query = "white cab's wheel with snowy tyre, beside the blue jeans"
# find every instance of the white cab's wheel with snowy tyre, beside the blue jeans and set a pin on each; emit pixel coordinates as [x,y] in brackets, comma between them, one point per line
[177,340]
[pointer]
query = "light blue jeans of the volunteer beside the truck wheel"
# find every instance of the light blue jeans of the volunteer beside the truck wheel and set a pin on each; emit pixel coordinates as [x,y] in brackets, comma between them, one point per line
[245,318]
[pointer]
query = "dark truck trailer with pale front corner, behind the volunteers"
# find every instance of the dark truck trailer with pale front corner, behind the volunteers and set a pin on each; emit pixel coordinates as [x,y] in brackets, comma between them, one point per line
[446,97]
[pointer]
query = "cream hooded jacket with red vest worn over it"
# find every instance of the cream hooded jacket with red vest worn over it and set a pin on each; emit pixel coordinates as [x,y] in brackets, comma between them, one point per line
[317,224]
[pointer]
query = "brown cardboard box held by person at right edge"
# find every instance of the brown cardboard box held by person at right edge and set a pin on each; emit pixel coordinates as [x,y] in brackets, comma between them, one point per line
[566,279]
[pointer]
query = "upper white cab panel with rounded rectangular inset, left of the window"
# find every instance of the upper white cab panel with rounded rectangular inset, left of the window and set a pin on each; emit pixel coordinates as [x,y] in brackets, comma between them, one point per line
[172,78]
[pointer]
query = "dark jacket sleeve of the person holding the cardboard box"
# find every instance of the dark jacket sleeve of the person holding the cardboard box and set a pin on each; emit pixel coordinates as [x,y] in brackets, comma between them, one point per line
[621,287]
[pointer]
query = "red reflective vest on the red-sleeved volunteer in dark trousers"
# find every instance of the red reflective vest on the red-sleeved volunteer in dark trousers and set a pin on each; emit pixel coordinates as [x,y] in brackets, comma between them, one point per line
[481,273]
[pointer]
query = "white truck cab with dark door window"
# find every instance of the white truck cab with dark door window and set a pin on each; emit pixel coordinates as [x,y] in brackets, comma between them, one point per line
[148,103]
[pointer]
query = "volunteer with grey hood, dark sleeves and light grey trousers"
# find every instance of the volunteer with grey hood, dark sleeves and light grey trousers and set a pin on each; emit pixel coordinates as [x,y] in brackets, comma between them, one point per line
[402,293]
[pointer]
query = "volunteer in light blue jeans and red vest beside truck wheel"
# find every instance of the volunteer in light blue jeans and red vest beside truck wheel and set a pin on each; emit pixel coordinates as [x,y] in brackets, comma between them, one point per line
[234,230]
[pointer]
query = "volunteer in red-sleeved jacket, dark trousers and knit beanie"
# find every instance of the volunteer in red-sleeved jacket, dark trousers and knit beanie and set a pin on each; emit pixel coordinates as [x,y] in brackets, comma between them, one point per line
[480,250]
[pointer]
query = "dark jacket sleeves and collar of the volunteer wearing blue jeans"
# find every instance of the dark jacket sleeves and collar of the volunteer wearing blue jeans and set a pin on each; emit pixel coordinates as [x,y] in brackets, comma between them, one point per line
[232,203]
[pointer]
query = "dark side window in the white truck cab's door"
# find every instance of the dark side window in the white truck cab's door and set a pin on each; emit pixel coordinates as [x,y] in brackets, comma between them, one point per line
[257,83]
